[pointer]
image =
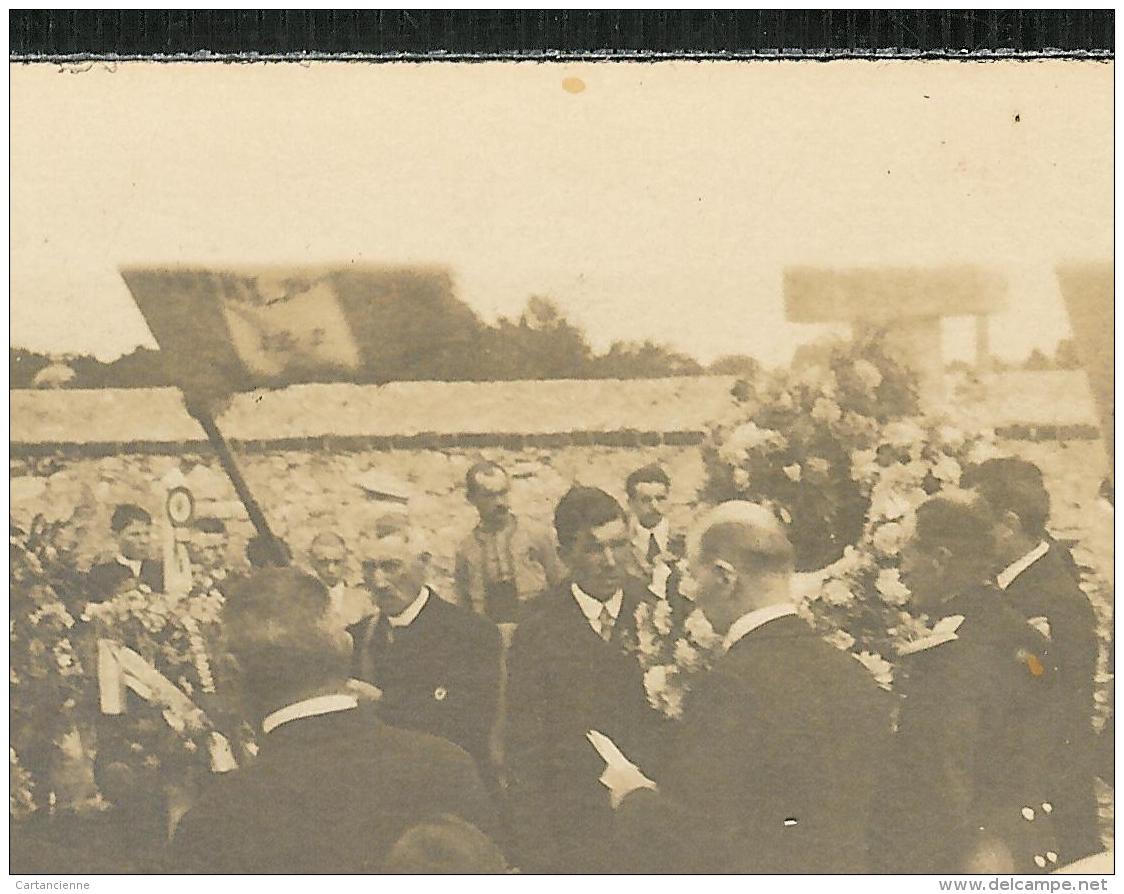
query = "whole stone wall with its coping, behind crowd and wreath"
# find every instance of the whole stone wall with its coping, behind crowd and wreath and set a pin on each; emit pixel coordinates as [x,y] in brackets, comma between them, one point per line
[304,450]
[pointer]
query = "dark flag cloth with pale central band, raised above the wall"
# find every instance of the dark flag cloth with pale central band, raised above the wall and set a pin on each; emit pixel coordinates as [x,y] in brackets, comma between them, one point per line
[223,331]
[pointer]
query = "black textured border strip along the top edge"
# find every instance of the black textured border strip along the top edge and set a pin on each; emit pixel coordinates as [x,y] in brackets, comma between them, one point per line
[428,35]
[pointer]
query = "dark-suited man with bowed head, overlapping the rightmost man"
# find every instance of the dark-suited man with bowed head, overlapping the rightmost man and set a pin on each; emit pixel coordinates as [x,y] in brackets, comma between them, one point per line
[969,787]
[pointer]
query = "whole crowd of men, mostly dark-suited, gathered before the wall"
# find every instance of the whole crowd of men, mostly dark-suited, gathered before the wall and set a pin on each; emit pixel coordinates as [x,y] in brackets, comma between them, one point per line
[407,730]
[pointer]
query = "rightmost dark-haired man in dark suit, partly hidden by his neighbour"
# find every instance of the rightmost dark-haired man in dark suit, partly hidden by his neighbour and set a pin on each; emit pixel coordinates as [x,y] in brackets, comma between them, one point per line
[1040,582]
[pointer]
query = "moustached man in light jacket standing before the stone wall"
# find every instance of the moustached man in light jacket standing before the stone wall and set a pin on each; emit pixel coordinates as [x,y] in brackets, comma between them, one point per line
[504,564]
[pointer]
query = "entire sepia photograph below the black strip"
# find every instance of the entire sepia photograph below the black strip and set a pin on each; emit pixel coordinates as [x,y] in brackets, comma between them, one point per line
[561,468]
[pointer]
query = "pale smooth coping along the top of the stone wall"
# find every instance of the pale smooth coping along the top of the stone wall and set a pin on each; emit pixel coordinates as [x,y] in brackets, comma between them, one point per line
[677,412]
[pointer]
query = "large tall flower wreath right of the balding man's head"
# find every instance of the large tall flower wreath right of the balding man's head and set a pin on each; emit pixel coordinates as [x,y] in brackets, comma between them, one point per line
[844,456]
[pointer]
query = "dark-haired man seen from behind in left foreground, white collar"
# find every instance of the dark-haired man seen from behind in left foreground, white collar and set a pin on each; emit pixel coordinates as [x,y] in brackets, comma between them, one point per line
[332,789]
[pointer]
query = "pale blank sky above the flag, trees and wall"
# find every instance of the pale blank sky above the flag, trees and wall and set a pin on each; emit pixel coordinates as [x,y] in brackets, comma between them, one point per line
[663,202]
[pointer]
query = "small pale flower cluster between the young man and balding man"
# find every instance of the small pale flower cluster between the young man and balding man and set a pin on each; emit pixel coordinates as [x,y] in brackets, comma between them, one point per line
[672,647]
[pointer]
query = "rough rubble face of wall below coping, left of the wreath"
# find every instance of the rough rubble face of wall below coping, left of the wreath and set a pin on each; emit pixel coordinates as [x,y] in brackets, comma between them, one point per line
[304,492]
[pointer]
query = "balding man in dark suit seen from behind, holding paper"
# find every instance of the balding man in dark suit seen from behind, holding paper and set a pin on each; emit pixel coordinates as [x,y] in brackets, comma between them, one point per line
[781,742]
